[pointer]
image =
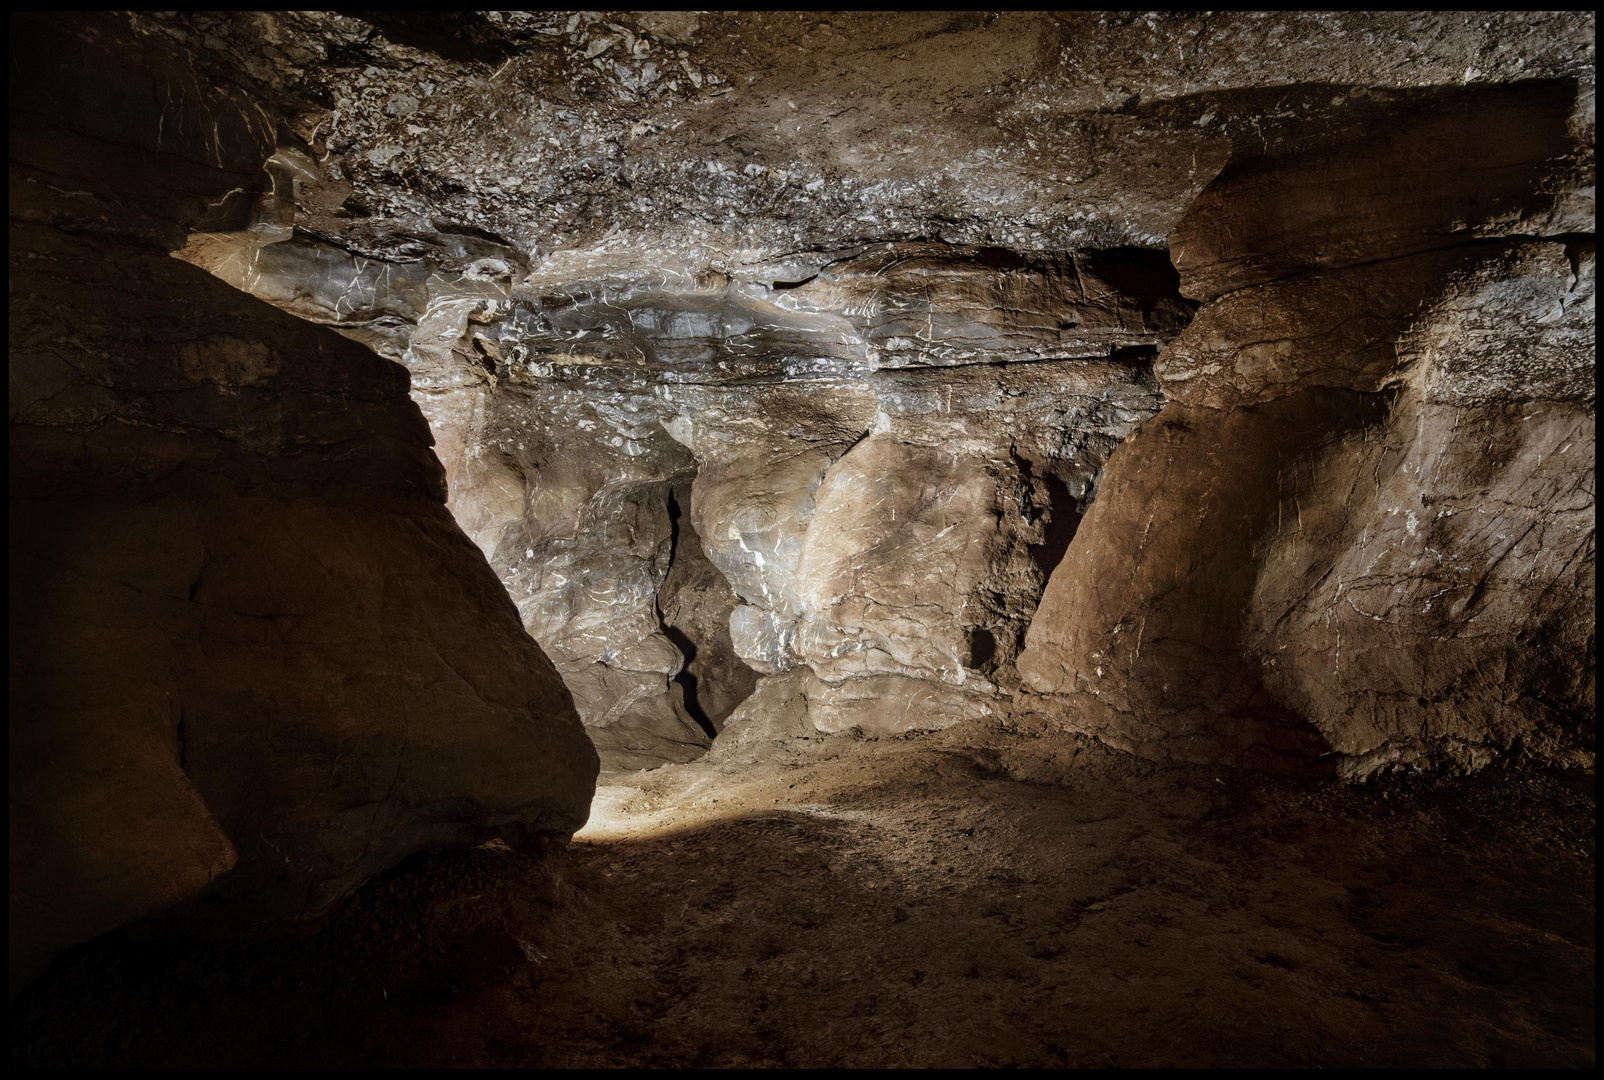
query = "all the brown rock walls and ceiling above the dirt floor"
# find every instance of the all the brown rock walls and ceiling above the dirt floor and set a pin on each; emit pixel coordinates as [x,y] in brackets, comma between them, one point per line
[1217,384]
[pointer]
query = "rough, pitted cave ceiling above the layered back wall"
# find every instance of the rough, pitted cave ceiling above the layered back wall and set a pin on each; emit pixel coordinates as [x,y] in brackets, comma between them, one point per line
[554,139]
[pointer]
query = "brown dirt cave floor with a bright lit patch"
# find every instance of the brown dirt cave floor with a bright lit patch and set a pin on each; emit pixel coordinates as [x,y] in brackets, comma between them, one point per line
[970,898]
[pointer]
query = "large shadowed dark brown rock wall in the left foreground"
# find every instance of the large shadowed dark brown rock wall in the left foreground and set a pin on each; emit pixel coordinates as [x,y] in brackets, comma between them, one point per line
[251,651]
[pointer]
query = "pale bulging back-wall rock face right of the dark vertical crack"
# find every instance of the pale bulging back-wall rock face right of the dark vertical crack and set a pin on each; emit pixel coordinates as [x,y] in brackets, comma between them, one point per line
[893,527]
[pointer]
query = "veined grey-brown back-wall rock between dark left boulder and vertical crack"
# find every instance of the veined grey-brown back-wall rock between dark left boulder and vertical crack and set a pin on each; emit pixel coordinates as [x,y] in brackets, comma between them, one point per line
[583,550]
